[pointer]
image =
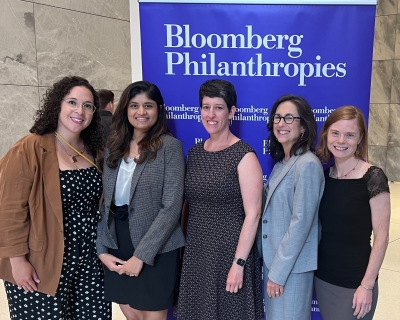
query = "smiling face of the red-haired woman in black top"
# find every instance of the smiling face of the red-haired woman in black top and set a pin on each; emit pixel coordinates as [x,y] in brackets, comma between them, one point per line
[343,138]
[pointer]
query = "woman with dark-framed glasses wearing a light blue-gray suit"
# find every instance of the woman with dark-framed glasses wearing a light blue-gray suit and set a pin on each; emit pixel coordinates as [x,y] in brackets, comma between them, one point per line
[289,225]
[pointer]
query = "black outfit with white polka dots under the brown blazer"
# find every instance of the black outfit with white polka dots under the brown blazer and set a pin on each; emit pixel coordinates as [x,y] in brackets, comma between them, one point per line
[80,292]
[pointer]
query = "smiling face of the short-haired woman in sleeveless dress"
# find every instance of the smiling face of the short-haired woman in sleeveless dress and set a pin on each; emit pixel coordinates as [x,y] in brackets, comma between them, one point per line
[215,115]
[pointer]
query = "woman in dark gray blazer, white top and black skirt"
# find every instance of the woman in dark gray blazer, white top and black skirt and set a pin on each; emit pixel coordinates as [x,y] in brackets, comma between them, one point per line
[139,233]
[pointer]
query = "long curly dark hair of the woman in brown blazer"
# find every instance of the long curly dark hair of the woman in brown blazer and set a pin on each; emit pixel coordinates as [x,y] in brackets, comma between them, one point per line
[46,118]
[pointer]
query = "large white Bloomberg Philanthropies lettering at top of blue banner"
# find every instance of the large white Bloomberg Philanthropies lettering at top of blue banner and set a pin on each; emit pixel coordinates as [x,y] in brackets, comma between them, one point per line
[202,60]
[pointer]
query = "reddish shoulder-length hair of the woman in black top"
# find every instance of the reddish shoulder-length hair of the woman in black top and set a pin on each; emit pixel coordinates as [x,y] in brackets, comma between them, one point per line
[344,113]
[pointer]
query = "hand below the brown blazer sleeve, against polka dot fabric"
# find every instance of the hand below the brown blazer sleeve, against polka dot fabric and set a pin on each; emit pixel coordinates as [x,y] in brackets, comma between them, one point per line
[24,274]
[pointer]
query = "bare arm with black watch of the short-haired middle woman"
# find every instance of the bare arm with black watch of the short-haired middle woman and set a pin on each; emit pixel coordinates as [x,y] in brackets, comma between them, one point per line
[251,187]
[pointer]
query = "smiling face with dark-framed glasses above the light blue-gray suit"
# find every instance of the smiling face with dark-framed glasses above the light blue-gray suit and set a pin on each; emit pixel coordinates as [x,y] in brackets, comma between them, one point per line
[287,134]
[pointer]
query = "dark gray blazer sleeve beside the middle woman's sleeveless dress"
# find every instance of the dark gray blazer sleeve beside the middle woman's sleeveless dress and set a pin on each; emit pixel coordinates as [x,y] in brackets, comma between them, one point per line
[171,204]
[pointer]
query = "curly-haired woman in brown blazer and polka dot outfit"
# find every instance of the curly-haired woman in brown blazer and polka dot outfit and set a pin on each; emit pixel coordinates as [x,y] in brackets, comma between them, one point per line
[50,189]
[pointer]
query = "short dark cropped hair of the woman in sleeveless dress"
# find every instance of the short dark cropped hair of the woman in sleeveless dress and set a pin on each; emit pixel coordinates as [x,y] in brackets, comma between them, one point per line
[218,88]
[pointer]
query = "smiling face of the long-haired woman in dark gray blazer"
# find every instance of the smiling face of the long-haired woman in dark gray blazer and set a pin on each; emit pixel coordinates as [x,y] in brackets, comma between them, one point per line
[142,113]
